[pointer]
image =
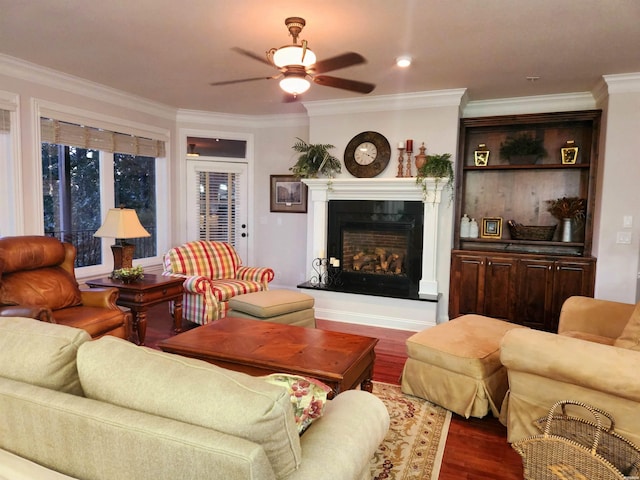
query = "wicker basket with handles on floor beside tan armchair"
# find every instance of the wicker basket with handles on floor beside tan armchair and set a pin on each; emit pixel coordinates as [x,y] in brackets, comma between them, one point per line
[574,448]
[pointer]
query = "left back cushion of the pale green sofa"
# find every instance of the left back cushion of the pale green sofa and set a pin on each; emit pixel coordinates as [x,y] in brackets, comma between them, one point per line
[40,353]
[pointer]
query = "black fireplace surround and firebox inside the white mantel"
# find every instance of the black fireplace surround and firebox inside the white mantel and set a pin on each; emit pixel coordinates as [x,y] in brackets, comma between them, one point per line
[379,246]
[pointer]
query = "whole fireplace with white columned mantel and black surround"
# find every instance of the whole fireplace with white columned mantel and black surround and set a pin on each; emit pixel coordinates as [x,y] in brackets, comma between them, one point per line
[399,206]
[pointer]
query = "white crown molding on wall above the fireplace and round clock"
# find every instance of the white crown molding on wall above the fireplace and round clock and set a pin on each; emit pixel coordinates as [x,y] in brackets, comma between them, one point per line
[384,103]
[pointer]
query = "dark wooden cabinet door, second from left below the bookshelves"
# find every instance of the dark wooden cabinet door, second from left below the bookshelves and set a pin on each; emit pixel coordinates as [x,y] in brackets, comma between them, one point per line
[499,287]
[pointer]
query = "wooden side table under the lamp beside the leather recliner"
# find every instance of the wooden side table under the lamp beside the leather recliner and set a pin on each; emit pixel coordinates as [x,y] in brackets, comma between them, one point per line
[144,293]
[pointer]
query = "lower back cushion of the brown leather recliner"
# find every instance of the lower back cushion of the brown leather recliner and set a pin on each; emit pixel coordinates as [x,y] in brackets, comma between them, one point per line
[53,287]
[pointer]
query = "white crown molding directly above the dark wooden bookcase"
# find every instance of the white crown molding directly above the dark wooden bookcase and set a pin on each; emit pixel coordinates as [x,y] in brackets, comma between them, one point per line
[533,104]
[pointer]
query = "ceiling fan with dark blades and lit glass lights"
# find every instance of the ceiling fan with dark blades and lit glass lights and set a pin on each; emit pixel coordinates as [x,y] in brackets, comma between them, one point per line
[298,67]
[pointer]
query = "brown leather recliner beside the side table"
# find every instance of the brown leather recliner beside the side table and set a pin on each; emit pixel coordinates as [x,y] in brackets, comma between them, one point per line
[37,280]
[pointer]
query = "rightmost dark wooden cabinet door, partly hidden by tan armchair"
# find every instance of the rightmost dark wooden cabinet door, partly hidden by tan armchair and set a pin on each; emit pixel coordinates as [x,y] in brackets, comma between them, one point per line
[571,277]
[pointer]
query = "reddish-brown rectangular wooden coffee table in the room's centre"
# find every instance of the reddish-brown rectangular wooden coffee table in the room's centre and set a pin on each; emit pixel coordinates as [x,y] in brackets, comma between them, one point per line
[341,360]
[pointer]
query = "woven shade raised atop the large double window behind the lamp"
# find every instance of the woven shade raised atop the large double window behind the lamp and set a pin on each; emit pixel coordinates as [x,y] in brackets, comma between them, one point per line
[63,133]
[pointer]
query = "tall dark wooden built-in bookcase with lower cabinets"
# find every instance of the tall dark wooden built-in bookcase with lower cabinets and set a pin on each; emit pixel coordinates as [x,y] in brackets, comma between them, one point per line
[523,280]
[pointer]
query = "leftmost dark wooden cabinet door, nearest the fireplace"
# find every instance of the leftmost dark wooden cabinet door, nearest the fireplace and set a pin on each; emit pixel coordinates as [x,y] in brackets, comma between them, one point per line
[466,290]
